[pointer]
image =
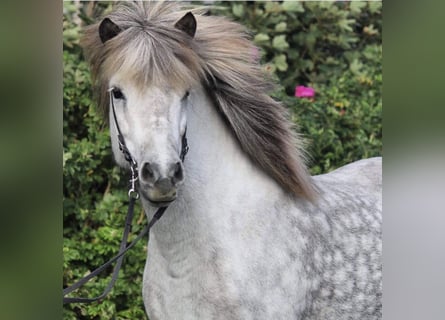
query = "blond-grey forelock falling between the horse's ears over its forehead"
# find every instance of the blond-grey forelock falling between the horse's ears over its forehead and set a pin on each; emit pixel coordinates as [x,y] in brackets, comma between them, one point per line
[149,49]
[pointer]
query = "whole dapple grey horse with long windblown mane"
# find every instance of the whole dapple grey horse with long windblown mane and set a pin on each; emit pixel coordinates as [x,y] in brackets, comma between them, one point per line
[247,233]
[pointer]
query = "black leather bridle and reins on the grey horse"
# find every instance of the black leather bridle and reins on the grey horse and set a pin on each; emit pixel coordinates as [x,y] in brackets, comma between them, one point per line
[133,195]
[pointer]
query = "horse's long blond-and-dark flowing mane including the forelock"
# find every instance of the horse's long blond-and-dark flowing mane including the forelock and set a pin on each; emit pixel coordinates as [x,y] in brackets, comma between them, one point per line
[220,56]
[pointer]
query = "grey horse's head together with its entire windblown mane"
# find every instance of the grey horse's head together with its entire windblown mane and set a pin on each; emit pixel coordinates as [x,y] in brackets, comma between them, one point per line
[148,54]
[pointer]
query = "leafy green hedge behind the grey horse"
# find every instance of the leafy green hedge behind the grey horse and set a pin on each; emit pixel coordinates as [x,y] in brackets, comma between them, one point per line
[334,47]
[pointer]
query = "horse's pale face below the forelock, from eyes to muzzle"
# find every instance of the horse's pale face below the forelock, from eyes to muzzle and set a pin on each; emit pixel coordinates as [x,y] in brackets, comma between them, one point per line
[153,124]
